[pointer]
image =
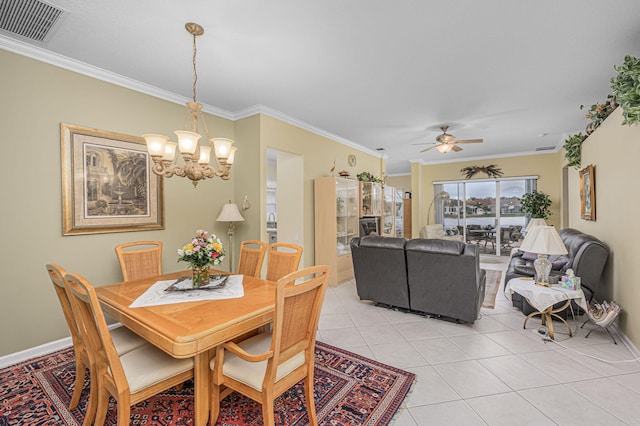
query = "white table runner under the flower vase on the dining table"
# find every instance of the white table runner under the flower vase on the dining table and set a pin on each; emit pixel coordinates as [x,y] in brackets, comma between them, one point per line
[156,294]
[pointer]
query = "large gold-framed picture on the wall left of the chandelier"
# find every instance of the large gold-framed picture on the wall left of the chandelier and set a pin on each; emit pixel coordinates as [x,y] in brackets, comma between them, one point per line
[107,183]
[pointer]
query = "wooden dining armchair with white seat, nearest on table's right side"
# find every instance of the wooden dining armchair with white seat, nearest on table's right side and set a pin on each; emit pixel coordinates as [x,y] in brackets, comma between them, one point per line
[266,365]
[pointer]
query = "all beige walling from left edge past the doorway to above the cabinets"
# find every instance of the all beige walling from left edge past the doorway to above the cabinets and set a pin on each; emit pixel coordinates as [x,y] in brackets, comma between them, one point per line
[36,98]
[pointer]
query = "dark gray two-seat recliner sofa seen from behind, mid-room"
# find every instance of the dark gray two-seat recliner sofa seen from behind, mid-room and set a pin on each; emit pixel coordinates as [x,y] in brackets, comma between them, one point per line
[433,276]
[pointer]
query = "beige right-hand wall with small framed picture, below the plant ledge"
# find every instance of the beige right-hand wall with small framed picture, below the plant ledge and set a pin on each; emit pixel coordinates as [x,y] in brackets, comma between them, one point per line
[614,150]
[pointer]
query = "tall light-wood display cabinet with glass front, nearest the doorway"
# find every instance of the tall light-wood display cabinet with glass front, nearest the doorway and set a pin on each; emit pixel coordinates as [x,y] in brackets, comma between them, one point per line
[336,224]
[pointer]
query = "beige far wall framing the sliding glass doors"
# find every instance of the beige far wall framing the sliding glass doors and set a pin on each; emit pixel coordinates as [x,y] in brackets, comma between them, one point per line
[548,168]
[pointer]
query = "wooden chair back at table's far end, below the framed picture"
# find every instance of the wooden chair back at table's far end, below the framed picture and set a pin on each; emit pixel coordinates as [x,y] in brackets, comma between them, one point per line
[140,259]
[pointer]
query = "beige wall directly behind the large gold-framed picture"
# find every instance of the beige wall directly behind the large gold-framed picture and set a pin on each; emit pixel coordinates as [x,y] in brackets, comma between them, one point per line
[36,98]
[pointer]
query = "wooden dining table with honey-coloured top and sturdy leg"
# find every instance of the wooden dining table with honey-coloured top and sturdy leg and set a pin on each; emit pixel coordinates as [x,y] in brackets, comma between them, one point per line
[191,329]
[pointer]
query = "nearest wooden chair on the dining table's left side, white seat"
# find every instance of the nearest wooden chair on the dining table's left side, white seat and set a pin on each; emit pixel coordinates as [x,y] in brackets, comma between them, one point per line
[129,378]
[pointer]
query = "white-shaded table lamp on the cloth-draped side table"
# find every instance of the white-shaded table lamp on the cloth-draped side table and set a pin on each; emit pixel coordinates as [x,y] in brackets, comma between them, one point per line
[543,240]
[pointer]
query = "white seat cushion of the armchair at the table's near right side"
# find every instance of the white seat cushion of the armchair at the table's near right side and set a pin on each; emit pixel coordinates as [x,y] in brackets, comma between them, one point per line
[252,373]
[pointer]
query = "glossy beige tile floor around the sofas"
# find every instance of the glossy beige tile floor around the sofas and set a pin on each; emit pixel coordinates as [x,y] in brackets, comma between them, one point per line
[491,372]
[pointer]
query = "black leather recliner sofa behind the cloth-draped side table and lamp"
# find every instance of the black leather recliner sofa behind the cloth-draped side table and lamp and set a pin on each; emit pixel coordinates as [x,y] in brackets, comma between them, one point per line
[586,255]
